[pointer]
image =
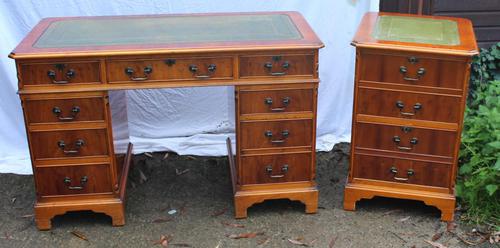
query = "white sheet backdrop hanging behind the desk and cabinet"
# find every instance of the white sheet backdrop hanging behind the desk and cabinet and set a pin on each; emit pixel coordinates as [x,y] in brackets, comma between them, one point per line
[186,120]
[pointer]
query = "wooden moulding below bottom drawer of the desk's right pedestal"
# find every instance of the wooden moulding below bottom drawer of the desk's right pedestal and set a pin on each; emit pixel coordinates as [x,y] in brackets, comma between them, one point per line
[274,188]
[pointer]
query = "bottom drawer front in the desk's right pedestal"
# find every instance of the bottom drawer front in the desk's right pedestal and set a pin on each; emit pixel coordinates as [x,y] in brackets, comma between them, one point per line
[275,168]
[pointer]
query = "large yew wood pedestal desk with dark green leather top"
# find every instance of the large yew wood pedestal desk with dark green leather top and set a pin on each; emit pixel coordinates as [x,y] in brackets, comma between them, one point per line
[66,66]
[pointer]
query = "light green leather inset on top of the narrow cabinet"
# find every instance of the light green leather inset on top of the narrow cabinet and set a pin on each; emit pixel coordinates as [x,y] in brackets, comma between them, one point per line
[417,30]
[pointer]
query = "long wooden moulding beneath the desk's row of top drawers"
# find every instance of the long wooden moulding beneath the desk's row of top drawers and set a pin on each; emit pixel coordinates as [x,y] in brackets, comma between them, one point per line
[157,85]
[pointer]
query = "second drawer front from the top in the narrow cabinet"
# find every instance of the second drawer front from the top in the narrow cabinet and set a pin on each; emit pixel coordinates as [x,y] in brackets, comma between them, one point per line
[408,105]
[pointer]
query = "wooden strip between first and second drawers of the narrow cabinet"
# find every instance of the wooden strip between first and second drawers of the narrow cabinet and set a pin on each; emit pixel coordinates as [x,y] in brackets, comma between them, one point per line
[410,88]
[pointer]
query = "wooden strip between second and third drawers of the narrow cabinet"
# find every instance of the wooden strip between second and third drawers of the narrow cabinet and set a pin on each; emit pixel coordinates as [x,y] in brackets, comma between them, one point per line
[393,121]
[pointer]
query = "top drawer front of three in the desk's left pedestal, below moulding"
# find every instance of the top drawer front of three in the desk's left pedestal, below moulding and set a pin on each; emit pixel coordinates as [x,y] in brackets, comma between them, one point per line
[64,110]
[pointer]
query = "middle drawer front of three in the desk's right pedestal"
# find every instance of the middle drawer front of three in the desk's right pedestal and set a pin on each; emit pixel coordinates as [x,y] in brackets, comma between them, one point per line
[272,134]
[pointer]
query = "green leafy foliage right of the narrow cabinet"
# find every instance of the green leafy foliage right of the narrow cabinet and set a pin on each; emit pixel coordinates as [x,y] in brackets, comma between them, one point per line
[478,184]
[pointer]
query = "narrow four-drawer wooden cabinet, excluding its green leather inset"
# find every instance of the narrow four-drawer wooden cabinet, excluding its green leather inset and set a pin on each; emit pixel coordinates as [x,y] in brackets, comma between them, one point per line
[406,125]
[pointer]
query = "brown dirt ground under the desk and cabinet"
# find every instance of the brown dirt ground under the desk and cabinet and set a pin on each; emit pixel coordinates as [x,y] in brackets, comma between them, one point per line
[202,199]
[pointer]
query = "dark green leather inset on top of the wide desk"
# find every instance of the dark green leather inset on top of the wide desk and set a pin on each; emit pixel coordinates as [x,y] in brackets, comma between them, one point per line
[167,29]
